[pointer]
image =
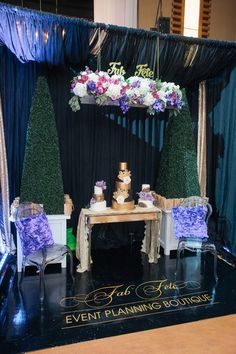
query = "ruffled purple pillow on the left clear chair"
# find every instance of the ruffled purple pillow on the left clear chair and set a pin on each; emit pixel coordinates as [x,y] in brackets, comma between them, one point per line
[35,233]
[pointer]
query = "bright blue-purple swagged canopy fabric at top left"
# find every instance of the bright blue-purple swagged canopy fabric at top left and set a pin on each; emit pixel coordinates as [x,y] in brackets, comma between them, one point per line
[41,37]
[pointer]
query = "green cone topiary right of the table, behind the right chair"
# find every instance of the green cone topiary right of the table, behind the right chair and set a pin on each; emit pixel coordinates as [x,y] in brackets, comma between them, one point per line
[178,177]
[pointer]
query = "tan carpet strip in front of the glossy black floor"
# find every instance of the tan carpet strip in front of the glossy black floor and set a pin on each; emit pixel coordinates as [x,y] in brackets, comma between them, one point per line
[215,335]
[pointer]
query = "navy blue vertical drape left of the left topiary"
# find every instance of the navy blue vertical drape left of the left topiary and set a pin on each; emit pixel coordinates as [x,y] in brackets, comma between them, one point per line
[17,82]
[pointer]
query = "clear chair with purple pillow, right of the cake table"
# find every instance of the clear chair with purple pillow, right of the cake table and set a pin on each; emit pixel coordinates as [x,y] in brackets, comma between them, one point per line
[190,221]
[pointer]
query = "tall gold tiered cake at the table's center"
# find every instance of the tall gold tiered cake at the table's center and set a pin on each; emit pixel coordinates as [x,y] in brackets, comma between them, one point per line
[122,197]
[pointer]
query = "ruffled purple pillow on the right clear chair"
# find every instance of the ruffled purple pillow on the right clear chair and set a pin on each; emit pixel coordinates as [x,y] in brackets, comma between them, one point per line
[190,222]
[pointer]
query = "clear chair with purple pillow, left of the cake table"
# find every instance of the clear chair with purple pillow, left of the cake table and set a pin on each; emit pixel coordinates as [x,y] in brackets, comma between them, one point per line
[37,243]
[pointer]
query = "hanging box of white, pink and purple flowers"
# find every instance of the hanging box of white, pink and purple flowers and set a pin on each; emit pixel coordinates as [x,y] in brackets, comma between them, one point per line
[106,89]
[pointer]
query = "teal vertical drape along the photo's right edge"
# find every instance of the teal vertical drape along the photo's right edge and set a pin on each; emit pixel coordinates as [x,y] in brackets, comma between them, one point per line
[221,100]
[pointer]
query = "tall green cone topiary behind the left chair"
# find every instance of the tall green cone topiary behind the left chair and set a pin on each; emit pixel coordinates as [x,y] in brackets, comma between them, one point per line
[42,177]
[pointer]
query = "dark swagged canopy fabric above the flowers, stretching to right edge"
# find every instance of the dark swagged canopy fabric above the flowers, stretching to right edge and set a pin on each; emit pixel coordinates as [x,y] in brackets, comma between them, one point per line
[185,61]
